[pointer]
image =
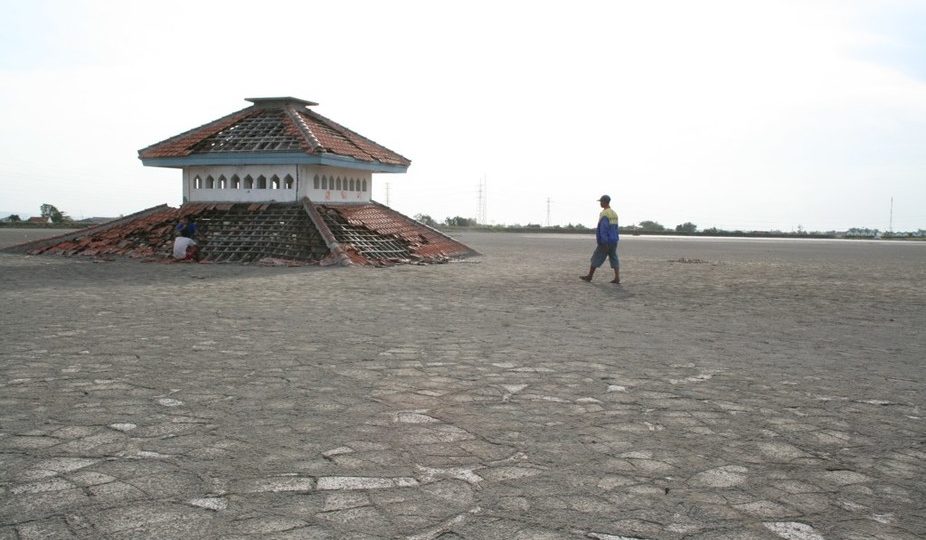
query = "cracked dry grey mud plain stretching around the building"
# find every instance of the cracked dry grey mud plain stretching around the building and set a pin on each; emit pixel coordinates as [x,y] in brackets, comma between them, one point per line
[741,389]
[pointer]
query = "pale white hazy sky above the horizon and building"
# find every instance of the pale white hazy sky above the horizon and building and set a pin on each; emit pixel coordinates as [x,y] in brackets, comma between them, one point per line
[743,114]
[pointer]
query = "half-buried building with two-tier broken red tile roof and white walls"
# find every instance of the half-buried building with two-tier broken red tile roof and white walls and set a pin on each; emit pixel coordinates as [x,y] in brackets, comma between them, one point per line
[275,182]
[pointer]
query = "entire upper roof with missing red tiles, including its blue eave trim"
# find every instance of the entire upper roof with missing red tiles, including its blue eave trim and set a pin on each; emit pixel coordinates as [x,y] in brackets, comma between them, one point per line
[273,130]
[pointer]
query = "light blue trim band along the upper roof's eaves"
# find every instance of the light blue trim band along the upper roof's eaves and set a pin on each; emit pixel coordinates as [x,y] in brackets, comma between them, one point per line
[281,158]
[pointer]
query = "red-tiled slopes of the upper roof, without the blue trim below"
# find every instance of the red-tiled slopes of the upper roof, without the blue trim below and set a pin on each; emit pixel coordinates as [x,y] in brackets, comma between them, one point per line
[274,125]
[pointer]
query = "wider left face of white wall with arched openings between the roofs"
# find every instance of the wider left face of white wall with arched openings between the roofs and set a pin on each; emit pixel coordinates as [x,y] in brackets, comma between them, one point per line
[205,183]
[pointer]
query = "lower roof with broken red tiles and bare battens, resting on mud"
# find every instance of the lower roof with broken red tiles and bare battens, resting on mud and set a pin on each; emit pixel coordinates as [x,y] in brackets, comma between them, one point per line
[280,233]
